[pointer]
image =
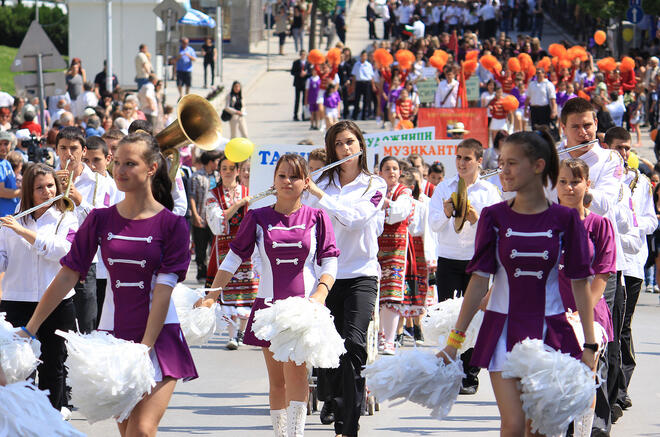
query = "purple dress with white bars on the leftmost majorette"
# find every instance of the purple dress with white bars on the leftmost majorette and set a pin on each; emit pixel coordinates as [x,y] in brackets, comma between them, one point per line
[139,254]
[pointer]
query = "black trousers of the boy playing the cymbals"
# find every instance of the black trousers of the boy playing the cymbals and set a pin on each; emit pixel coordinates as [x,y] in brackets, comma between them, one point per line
[452,281]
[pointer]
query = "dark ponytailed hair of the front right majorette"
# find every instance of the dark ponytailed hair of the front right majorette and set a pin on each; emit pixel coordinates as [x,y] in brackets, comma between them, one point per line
[539,145]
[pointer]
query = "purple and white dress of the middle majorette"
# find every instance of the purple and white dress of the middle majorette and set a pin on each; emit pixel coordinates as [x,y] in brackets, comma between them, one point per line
[290,247]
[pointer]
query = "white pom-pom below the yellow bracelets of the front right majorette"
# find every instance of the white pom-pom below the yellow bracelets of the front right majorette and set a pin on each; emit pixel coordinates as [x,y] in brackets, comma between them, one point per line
[419,377]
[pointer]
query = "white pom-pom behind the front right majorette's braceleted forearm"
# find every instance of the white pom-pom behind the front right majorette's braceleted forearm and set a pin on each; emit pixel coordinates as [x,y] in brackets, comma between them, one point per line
[441,318]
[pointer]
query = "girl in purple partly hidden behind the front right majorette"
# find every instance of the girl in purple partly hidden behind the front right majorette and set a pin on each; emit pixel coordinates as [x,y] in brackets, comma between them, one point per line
[572,189]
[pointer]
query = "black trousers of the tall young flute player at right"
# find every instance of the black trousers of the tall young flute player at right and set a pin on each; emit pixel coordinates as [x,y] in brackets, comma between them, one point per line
[607,393]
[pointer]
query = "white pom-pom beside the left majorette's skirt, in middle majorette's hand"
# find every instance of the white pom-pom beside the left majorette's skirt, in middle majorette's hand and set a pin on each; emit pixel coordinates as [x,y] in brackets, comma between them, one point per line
[198,324]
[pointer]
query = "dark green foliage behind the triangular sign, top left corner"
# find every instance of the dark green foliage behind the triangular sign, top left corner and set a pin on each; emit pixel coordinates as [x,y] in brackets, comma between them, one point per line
[15,20]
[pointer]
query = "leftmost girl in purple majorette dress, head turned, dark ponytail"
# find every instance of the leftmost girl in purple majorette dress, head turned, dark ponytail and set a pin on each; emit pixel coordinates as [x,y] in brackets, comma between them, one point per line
[145,248]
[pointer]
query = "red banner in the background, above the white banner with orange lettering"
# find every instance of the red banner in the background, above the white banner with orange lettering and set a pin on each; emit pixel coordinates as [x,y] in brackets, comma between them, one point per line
[475,121]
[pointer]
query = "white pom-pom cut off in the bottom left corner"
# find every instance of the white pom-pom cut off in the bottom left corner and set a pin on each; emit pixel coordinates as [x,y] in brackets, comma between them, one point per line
[26,411]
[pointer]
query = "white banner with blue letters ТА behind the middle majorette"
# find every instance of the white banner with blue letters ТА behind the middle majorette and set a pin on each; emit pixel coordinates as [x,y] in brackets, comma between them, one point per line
[262,168]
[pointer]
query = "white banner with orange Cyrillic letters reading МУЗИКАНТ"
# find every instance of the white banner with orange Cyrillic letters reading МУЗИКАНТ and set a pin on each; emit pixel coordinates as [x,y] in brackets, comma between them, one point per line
[443,151]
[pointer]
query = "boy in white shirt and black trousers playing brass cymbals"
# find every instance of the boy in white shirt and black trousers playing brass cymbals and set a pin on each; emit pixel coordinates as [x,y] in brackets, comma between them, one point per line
[456,249]
